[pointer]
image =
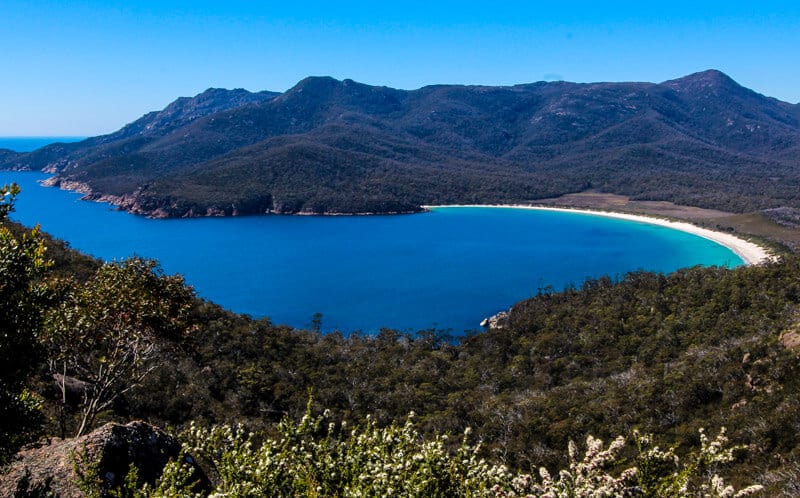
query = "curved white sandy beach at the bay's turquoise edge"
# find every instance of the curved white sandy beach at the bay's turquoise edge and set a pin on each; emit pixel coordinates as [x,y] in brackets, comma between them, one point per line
[751,254]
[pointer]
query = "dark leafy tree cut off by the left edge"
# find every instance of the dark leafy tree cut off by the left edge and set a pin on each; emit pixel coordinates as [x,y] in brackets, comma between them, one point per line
[22,261]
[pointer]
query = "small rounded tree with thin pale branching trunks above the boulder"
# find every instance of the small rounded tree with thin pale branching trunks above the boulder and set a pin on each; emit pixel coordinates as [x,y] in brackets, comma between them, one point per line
[104,335]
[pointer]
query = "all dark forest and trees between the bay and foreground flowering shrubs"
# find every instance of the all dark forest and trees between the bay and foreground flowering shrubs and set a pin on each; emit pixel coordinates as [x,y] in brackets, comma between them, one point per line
[662,354]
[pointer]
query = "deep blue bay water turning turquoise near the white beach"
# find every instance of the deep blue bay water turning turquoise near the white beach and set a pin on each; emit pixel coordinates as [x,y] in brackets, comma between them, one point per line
[448,269]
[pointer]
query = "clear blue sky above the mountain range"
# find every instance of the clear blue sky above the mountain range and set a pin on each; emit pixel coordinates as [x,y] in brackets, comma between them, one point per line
[89,67]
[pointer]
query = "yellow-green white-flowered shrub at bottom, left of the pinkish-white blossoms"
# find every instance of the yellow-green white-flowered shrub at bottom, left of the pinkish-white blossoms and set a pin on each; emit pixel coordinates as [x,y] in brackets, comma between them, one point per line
[311,460]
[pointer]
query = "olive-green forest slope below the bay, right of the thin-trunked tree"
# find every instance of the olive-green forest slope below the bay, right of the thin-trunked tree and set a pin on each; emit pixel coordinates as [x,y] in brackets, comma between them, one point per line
[667,354]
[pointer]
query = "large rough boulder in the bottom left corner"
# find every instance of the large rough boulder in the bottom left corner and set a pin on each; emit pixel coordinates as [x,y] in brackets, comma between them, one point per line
[113,448]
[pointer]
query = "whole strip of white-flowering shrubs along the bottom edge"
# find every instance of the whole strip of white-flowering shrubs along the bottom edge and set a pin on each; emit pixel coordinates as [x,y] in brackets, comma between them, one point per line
[311,458]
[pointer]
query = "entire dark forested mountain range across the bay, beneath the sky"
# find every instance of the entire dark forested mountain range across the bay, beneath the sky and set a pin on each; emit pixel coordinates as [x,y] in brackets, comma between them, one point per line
[341,146]
